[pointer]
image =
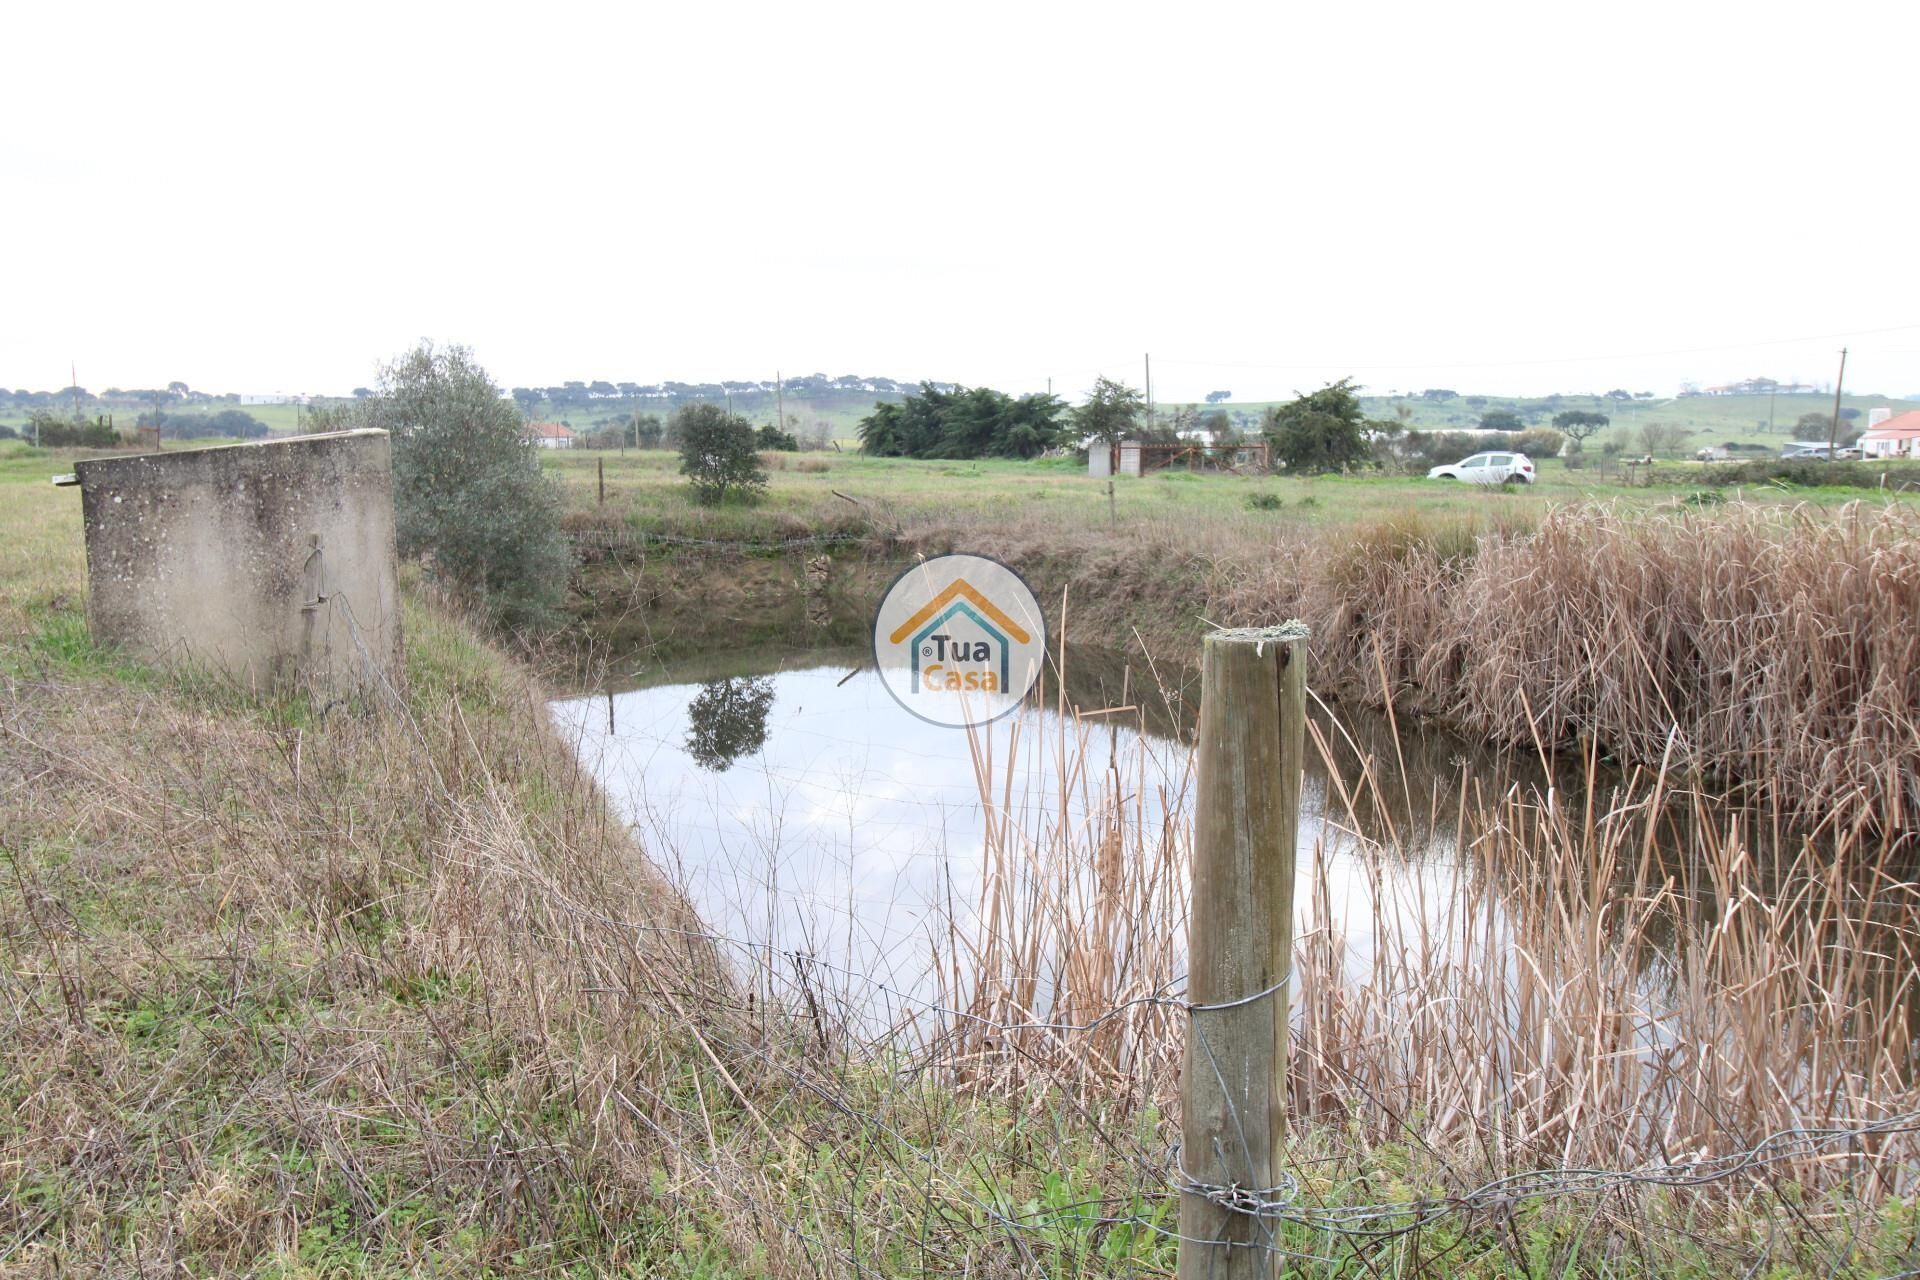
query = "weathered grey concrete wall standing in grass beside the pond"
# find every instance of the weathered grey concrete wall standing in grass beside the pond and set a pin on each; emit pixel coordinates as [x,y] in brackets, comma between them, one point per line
[272,561]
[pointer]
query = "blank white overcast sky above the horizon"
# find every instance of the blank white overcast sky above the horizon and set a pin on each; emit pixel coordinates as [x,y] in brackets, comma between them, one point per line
[1502,199]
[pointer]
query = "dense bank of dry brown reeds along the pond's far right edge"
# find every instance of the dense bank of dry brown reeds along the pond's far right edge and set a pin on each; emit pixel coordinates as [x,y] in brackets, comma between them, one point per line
[1758,646]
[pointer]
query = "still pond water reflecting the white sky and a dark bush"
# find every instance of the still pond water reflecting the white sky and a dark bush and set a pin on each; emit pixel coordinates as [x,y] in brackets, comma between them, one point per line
[804,811]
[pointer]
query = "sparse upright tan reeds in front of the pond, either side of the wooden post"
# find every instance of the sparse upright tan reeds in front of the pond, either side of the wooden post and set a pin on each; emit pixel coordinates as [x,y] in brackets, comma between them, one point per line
[1627,978]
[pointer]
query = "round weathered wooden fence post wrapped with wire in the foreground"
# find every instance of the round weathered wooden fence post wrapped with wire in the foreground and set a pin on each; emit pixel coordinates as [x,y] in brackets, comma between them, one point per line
[1239,947]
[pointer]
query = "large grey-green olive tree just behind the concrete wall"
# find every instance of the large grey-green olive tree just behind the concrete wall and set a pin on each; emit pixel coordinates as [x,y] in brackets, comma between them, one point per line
[469,496]
